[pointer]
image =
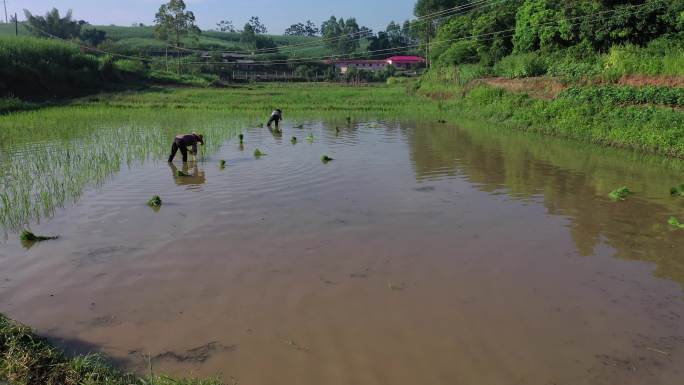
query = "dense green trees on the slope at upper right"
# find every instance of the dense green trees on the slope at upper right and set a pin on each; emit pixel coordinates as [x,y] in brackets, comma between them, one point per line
[486,33]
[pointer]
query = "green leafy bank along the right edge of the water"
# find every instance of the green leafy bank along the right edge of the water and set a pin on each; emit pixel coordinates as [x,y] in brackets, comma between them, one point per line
[600,117]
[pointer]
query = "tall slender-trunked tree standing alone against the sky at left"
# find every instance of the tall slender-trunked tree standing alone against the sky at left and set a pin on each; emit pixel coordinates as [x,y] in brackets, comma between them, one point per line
[173,22]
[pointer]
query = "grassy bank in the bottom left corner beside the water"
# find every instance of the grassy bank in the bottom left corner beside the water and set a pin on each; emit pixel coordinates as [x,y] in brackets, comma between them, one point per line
[27,359]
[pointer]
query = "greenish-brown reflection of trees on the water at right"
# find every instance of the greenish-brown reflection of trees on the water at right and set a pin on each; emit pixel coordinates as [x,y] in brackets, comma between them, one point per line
[570,179]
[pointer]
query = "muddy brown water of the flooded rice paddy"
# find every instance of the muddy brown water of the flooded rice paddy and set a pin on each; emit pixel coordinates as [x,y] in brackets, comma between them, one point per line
[423,254]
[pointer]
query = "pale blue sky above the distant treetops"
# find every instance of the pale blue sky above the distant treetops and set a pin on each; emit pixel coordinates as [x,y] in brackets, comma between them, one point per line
[276,14]
